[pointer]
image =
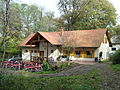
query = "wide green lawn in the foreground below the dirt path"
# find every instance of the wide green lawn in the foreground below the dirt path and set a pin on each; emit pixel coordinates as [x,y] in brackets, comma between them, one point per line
[89,81]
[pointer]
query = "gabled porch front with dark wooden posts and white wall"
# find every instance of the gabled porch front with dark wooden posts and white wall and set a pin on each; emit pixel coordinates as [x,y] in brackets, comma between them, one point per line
[38,49]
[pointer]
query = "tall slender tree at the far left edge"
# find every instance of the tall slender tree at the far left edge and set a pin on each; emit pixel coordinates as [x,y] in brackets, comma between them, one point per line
[4,19]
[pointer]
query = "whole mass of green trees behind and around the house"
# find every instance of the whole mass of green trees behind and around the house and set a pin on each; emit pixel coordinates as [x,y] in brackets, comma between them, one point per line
[17,21]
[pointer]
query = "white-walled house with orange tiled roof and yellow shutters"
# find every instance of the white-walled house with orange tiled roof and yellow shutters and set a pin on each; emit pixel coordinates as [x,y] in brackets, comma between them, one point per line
[85,45]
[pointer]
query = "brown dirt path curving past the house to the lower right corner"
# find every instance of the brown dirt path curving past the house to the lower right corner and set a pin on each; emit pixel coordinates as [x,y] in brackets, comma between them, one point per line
[111,79]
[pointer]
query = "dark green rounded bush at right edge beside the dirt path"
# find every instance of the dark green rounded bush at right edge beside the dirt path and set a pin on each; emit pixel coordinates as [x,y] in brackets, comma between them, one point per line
[115,58]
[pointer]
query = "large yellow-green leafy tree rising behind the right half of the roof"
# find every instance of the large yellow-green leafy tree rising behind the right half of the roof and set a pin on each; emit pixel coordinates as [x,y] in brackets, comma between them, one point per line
[86,14]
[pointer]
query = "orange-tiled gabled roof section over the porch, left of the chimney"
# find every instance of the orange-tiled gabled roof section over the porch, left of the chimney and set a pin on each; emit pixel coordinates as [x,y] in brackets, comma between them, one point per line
[51,37]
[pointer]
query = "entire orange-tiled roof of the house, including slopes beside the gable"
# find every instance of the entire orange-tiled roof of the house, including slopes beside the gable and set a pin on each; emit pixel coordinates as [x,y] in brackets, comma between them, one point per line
[79,38]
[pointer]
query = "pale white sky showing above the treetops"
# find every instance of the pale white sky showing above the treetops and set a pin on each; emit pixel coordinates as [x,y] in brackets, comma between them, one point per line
[51,5]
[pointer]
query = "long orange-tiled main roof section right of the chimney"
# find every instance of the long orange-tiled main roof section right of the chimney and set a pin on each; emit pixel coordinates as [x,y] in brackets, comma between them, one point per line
[83,38]
